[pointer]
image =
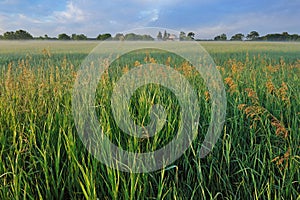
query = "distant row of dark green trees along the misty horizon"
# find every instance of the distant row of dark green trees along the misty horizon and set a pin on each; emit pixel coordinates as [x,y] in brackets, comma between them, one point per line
[252,36]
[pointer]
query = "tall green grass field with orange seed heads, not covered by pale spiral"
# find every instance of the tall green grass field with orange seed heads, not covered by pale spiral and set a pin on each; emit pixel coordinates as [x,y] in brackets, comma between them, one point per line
[256,157]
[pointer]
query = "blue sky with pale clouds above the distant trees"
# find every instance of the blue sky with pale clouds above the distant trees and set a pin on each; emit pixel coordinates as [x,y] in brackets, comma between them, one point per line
[207,18]
